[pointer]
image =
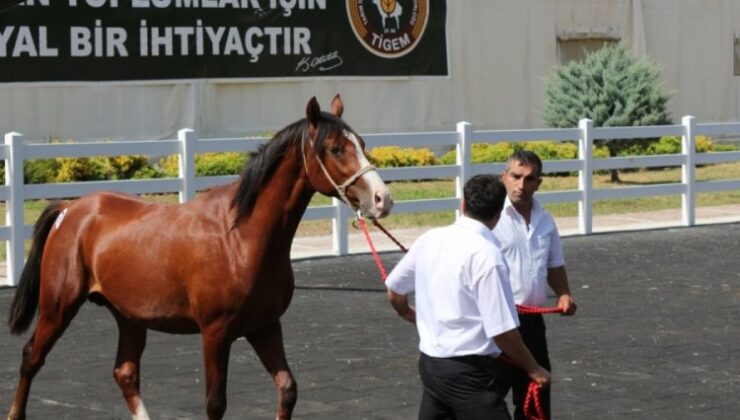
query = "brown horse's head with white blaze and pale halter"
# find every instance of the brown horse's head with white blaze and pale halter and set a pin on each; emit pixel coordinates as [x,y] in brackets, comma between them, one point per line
[336,164]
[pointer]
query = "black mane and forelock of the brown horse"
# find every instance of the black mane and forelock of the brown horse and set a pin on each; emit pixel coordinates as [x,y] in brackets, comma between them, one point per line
[261,166]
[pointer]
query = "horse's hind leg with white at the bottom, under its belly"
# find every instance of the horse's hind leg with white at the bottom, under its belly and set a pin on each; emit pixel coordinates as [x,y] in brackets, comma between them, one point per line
[131,342]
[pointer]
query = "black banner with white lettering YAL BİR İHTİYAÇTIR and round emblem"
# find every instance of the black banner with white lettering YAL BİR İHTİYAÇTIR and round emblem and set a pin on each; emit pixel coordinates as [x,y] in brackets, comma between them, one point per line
[106,40]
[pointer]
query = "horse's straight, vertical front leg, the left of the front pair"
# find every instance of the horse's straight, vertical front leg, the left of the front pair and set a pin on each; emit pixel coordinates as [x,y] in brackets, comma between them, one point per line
[216,347]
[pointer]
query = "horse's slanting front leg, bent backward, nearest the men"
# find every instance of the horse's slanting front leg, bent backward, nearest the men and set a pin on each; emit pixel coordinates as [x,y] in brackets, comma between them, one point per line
[268,344]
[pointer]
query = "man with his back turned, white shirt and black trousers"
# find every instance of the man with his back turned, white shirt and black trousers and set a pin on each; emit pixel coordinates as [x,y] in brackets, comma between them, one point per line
[465,313]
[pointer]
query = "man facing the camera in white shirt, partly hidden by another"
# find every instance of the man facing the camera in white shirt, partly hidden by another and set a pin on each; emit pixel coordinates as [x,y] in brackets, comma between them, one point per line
[533,251]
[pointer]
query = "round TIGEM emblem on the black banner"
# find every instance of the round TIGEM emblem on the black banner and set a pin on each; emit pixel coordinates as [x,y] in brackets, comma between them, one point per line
[388,28]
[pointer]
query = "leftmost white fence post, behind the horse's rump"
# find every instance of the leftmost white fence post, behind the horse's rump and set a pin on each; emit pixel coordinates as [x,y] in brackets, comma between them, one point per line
[15,248]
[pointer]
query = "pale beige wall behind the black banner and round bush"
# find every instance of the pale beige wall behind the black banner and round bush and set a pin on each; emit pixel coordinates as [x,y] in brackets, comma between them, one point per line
[501,52]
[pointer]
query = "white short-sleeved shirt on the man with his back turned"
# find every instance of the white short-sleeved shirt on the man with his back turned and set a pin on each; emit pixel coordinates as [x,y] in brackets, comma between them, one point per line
[463,296]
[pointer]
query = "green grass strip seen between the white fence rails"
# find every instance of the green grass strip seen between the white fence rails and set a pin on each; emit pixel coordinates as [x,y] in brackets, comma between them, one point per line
[417,190]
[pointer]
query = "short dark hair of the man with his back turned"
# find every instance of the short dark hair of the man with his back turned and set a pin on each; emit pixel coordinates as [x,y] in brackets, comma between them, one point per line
[484,197]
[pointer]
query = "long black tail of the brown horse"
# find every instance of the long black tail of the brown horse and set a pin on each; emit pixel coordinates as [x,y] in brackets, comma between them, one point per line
[23,308]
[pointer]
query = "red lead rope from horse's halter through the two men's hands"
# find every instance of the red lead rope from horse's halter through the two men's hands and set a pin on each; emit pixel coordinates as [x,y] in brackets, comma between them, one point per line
[532,406]
